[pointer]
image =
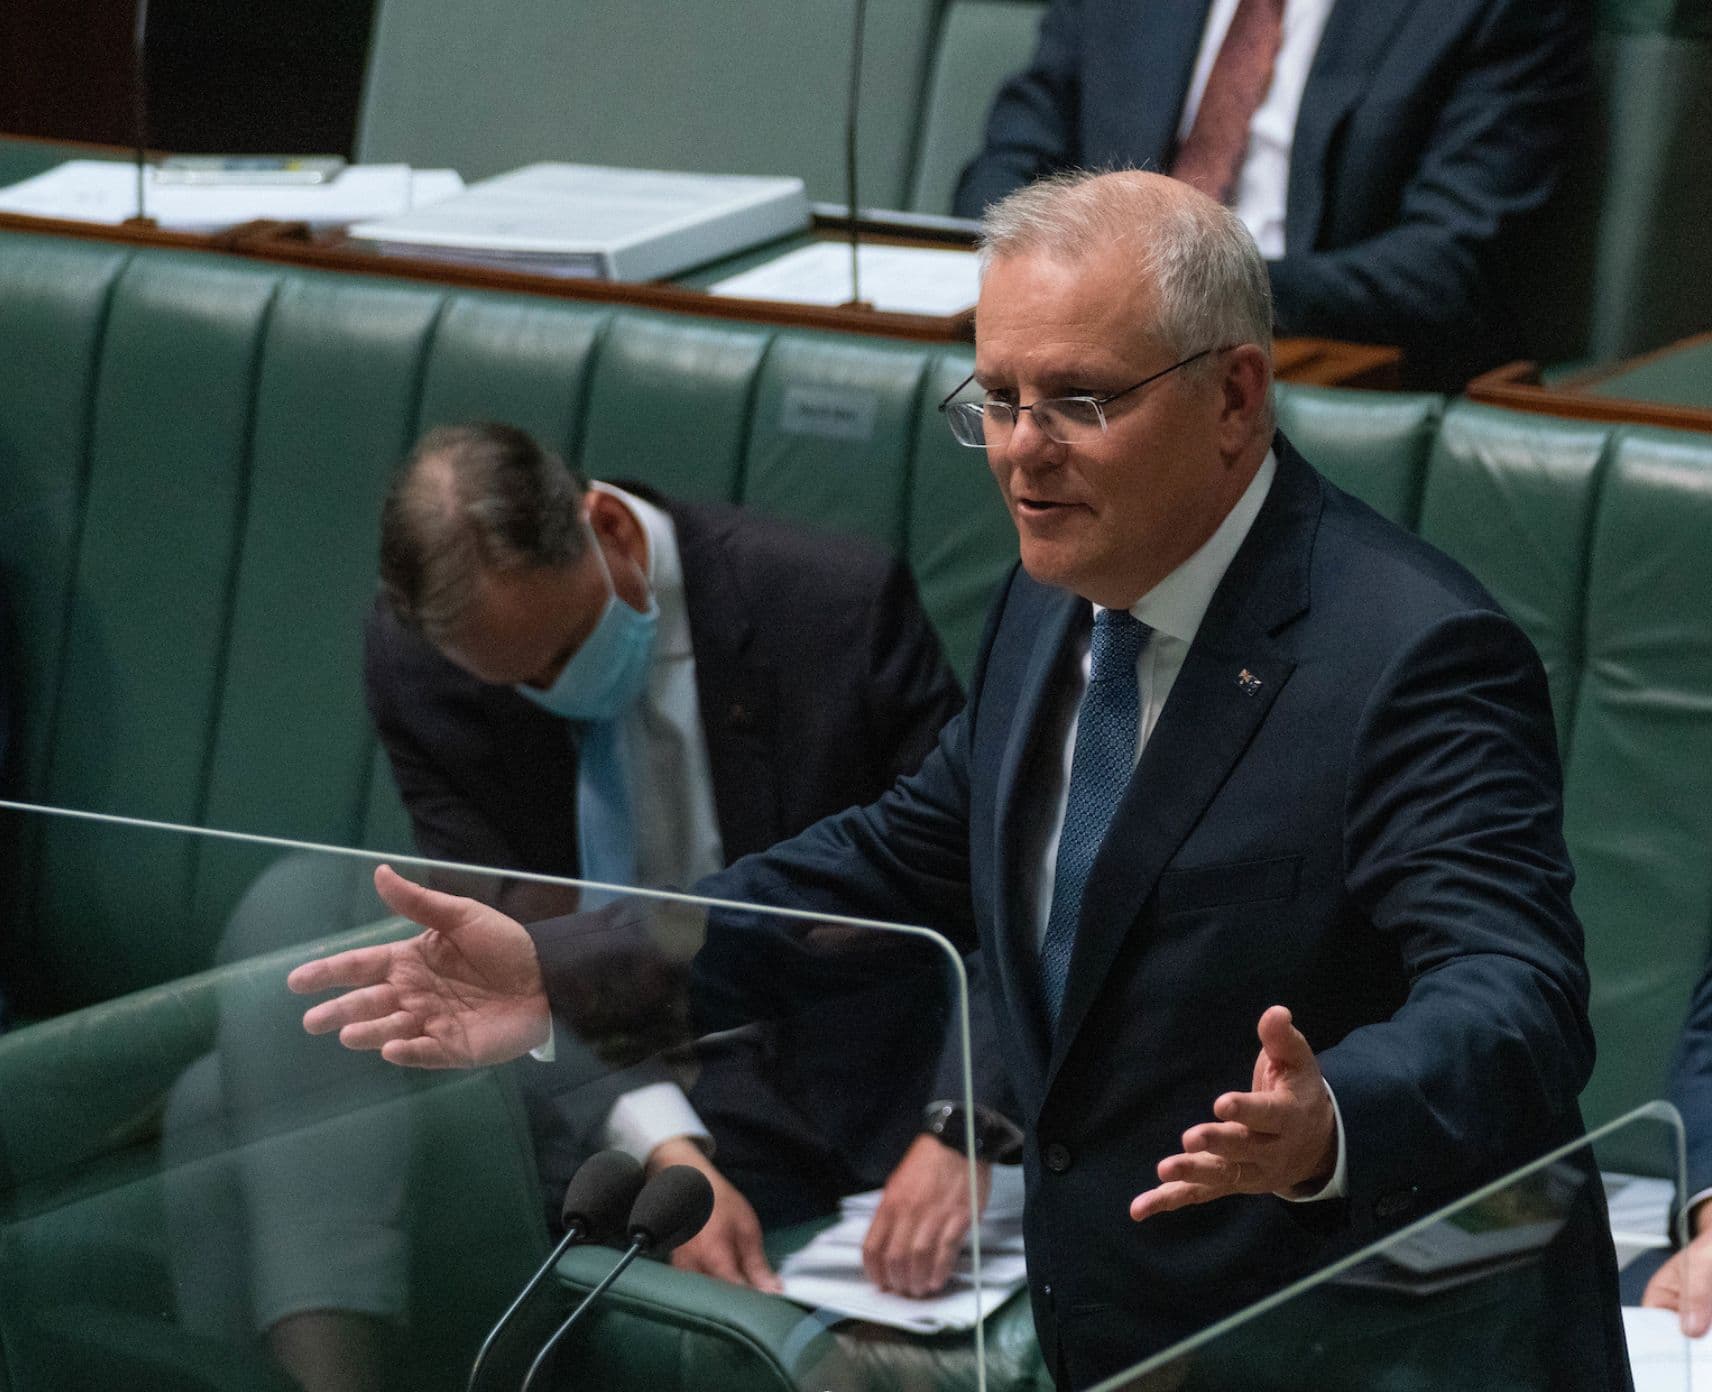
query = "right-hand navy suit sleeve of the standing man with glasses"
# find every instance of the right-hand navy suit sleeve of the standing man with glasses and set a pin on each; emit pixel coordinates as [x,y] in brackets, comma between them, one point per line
[1454,848]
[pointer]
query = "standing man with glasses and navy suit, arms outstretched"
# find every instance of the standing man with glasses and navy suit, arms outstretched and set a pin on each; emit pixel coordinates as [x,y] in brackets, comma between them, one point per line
[1254,811]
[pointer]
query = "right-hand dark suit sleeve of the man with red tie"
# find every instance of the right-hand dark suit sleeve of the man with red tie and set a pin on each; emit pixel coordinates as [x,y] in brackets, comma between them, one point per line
[1499,150]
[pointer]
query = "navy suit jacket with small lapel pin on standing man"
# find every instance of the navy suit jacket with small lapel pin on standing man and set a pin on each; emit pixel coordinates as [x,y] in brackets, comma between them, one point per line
[1369,835]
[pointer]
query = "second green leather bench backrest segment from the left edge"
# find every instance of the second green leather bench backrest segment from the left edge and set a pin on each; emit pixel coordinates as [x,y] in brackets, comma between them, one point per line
[146,633]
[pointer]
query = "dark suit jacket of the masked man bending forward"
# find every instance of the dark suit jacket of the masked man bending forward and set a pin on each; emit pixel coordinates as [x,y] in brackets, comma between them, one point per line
[819,682]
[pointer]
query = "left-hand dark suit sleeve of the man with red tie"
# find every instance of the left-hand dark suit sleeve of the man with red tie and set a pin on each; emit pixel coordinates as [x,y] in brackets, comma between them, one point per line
[1033,126]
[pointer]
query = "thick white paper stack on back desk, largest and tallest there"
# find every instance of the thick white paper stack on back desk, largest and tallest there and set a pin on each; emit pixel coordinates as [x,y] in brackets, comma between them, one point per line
[624,225]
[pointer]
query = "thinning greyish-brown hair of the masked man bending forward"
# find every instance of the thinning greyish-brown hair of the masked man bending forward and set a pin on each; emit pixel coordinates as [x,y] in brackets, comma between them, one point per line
[472,501]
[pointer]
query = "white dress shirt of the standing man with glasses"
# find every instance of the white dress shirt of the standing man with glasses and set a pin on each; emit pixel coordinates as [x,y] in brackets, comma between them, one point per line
[1174,610]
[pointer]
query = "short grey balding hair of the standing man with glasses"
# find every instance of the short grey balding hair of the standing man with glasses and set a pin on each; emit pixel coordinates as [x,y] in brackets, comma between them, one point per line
[1211,278]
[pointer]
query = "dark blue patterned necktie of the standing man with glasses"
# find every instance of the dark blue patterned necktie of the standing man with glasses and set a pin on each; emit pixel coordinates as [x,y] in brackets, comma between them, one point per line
[1100,770]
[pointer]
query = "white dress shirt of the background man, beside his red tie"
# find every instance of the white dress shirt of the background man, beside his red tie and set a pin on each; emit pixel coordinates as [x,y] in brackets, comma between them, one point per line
[1263,184]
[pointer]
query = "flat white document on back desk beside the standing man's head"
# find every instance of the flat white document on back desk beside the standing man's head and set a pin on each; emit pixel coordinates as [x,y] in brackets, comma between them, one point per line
[896,280]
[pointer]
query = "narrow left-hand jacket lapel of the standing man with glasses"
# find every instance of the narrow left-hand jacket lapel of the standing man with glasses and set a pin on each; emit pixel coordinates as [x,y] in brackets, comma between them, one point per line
[1019,973]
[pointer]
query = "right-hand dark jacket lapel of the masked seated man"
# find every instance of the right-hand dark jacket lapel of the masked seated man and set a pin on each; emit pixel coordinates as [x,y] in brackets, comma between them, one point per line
[735,693]
